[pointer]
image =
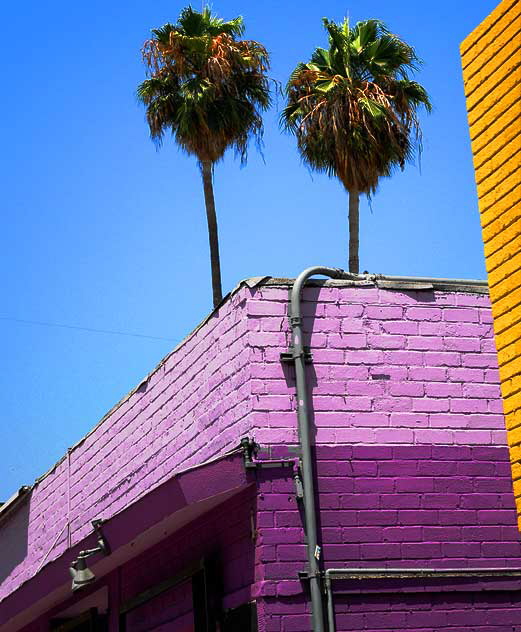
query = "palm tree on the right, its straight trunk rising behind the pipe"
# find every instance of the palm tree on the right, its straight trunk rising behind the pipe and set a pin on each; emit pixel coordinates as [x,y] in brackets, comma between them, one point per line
[353,110]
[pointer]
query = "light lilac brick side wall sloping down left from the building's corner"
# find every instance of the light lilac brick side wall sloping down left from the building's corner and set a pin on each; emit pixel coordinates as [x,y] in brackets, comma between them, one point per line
[193,406]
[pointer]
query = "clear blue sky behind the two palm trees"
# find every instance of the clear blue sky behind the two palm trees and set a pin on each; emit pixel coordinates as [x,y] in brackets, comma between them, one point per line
[101,231]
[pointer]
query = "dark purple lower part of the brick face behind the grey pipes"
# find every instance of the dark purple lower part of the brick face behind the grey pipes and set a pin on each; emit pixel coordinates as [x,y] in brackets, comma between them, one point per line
[395,506]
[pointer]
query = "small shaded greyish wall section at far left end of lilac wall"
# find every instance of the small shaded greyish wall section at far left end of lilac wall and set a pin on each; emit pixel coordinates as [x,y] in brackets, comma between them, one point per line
[13,539]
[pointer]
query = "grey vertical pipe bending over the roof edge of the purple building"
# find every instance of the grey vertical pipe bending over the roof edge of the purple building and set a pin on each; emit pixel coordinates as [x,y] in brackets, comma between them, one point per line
[313,551]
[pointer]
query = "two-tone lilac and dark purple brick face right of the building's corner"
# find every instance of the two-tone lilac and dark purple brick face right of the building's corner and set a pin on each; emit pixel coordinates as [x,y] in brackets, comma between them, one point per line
[412,459]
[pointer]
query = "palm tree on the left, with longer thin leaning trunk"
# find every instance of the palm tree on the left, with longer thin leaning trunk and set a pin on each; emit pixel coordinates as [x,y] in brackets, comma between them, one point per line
[208,88]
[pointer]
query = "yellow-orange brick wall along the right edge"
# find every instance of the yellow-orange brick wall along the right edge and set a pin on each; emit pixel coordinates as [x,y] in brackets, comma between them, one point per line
[491,59]
